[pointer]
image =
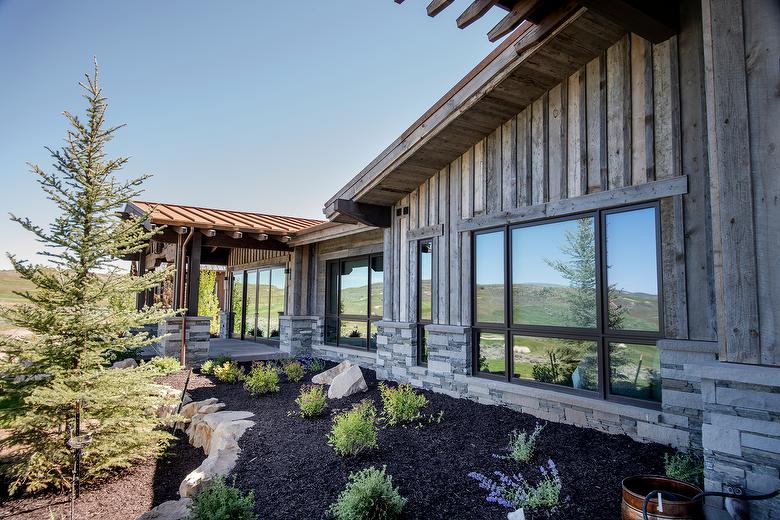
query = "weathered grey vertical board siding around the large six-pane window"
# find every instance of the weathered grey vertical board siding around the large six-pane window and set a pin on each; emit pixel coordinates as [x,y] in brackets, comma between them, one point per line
[613,124]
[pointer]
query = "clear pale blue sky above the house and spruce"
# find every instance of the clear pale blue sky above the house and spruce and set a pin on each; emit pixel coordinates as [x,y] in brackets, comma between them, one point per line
[262,106]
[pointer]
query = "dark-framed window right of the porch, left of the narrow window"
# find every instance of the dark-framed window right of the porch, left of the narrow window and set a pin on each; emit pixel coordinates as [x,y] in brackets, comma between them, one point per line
[353,301]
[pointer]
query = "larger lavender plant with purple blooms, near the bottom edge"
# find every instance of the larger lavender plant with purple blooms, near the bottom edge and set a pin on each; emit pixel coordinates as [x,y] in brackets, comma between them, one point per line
[514,491]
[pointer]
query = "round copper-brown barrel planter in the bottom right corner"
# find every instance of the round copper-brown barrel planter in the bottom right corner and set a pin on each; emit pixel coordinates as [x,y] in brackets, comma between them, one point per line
[636,488]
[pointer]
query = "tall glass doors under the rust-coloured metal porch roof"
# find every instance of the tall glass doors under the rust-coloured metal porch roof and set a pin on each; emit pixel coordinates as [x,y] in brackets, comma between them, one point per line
[257,301]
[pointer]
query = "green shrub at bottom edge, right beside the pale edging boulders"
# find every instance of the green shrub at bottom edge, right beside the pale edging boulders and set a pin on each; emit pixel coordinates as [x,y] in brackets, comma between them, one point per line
[218,501]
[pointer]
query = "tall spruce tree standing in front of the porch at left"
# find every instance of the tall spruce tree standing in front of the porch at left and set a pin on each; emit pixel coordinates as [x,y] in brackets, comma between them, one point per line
[78,316]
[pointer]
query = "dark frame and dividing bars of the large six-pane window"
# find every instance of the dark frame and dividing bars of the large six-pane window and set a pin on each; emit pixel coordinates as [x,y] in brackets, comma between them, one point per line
[601,334]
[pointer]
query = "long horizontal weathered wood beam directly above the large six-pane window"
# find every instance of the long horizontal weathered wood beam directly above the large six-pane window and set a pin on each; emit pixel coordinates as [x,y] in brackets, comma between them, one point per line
[606,199]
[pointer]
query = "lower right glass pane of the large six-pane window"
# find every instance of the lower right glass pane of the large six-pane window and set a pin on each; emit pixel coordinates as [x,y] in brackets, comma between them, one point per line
[635,371]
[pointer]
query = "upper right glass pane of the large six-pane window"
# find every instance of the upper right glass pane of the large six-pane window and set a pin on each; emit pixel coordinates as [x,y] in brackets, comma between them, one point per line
[632,270]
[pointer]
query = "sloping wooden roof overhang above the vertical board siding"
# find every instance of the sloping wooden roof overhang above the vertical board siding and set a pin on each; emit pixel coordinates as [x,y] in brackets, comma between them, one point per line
[533,59]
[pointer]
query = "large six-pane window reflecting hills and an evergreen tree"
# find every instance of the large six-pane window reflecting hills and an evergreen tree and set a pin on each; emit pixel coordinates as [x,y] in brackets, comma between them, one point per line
[583,312]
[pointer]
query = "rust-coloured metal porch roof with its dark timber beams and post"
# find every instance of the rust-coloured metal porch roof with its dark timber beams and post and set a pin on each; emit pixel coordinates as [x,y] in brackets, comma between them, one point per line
[192,236]
